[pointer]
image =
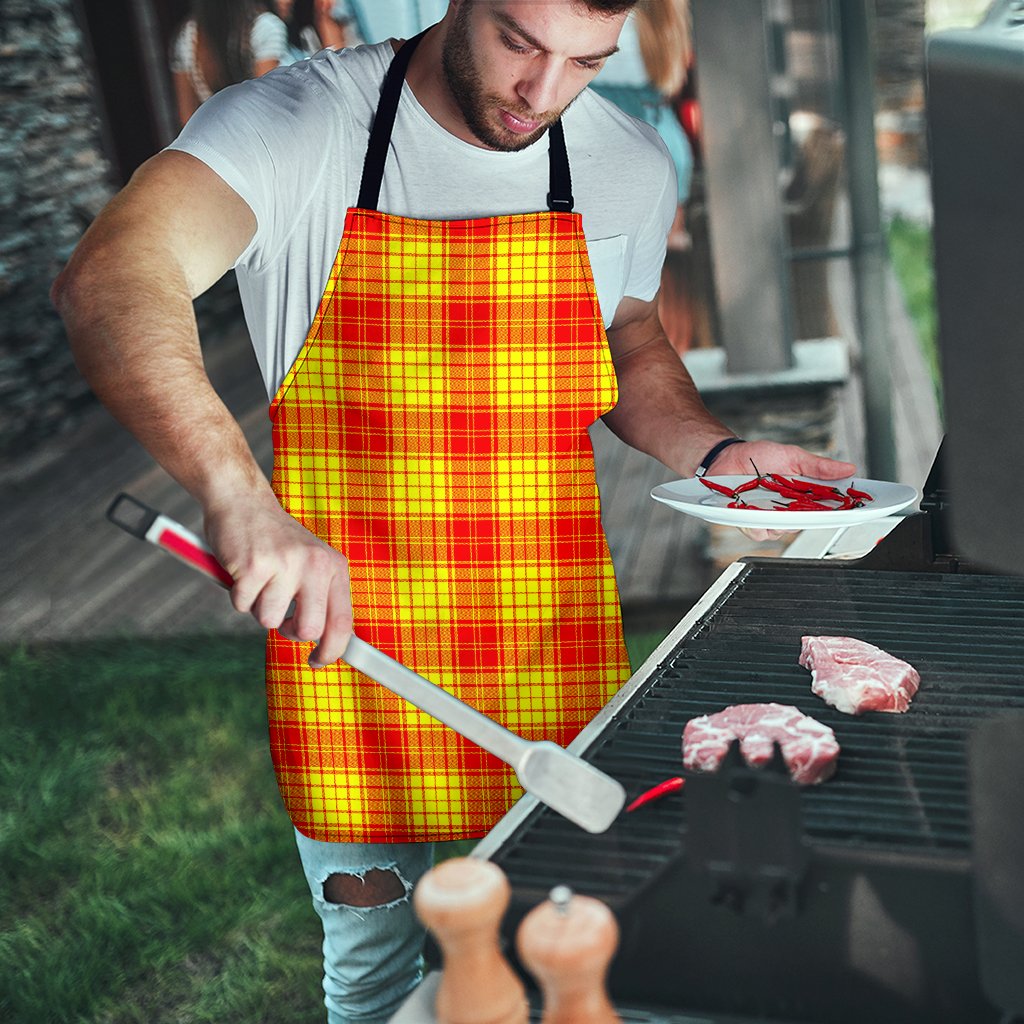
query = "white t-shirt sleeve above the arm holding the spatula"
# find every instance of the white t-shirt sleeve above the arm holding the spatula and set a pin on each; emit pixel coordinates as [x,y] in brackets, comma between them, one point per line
[269,140]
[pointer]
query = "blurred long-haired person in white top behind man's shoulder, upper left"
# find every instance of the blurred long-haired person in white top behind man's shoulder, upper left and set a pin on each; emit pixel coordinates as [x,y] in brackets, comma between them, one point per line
[224,42]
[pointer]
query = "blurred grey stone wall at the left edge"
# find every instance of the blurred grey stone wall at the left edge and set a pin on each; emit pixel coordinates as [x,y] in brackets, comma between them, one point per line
[54,181]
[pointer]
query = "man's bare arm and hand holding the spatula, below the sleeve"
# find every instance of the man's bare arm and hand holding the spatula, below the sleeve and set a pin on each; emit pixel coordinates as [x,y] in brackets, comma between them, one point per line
[126,297]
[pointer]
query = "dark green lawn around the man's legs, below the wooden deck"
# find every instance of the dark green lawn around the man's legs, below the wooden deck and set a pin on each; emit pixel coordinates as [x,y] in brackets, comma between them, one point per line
[148,870]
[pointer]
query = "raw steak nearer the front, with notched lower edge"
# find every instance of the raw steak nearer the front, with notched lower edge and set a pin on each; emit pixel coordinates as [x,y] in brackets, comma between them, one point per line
[808,747]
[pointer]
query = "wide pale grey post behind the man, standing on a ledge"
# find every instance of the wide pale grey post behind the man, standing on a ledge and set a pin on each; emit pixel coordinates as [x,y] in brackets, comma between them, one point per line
[745,206]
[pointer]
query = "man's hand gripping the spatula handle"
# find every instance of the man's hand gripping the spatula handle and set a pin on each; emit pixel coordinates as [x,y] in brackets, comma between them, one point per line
[275,562]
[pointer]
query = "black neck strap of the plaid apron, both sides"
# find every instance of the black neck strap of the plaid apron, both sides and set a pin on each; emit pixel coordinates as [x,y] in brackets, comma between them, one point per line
[560,196]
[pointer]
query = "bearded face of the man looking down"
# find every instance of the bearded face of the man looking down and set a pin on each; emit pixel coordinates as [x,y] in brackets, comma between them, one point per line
[514,66]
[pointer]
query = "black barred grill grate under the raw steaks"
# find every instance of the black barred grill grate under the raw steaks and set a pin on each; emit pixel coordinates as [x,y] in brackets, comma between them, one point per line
[902,785]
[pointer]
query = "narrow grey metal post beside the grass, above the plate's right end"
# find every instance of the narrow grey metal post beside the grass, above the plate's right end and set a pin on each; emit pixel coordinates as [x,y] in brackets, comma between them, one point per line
[869,244]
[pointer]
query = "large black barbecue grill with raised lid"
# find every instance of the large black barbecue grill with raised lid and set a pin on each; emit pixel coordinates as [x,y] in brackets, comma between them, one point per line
[894,892]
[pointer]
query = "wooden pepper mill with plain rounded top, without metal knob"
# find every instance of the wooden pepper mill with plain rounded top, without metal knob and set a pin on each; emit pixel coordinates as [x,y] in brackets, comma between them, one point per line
[462,902]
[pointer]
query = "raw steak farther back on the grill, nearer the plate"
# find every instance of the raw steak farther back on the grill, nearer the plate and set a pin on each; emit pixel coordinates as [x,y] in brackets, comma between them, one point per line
[856,677]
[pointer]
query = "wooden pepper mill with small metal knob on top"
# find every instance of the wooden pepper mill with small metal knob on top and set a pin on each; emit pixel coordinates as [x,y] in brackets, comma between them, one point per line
[568,944]
